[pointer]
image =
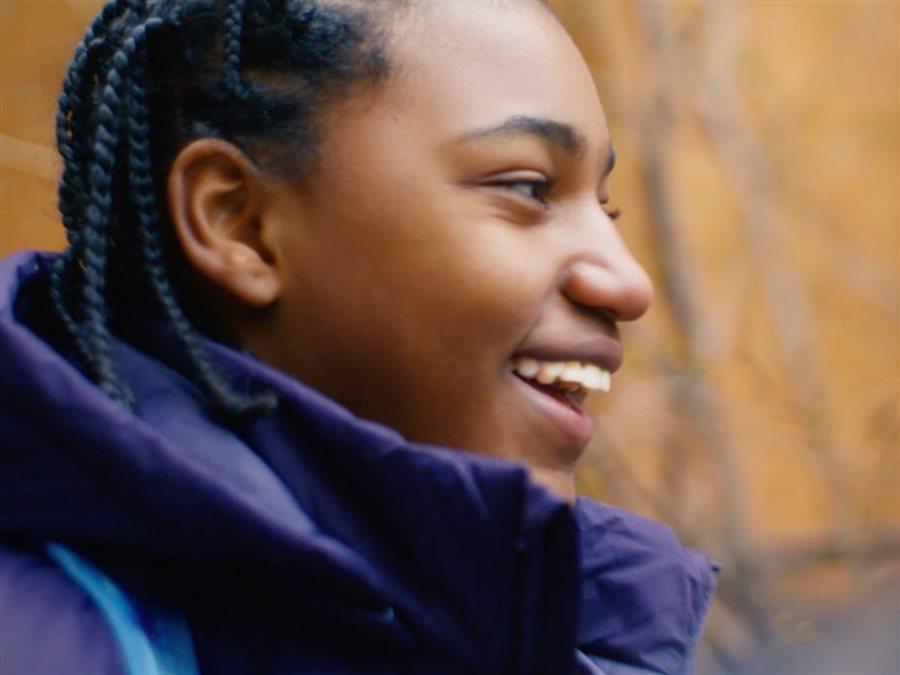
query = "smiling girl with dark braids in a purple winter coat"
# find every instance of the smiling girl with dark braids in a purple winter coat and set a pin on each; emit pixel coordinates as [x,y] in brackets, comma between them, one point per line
[304,393]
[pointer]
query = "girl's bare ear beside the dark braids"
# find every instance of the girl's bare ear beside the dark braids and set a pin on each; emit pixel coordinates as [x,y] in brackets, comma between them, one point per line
[215,200]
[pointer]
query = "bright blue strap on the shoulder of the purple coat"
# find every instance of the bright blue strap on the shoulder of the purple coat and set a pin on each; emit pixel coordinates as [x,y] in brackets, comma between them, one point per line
[169,652]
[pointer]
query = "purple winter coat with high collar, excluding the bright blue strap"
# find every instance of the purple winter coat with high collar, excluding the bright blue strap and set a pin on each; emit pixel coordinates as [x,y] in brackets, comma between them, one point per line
[310,541]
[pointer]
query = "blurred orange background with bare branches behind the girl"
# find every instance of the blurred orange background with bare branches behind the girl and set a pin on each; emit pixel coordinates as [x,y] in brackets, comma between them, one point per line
[758,410]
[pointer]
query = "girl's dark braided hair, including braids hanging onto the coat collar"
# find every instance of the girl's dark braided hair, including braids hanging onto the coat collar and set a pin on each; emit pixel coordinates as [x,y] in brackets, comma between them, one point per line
[149,77]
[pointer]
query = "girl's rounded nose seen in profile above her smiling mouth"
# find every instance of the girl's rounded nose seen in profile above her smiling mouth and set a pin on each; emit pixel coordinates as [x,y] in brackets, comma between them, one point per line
[610,280]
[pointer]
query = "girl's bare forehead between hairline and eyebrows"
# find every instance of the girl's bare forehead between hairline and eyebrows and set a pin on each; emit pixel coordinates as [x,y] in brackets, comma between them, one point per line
[470,64]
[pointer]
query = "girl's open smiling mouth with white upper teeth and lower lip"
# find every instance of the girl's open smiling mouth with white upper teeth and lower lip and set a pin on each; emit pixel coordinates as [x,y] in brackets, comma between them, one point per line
[558,389]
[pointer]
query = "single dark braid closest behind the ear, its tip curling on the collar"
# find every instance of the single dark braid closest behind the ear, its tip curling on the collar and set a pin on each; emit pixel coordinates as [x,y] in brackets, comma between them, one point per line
[147,216]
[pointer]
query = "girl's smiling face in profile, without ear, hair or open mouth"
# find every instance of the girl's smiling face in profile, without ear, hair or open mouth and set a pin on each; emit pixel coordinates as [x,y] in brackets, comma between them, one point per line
[428,249]
